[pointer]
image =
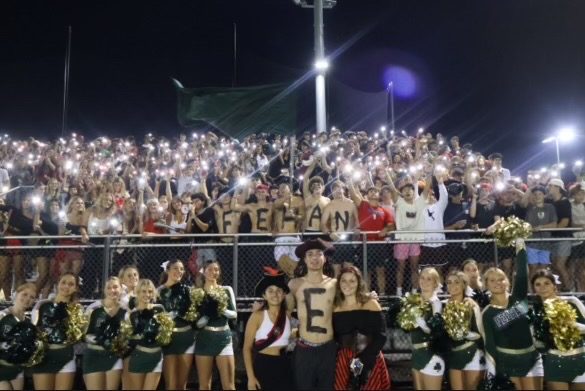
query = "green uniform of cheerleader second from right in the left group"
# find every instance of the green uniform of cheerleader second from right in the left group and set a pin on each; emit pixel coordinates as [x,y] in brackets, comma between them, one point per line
[176,301]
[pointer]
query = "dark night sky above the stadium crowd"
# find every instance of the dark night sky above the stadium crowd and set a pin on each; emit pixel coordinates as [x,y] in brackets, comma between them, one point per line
[500,74]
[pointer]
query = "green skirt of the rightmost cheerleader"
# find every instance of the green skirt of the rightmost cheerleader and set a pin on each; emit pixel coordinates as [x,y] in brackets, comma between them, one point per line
[563,366]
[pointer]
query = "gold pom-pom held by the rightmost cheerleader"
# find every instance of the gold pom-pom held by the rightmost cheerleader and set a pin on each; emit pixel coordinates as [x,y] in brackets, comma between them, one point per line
[562,318]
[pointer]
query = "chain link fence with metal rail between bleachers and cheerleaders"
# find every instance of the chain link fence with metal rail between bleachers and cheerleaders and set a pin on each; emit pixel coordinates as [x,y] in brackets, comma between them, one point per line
[242,258]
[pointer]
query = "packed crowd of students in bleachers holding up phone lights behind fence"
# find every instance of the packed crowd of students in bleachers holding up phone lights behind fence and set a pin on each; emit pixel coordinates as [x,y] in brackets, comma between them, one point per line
[333,184]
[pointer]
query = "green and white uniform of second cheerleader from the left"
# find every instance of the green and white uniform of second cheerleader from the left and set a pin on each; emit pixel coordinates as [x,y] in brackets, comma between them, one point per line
[49,318]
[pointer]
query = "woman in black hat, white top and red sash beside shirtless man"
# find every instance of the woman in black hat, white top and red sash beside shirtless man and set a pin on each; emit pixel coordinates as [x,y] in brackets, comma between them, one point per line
[267,336]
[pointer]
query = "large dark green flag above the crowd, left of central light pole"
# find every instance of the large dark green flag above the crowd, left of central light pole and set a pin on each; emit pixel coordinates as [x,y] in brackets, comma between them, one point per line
[239,111]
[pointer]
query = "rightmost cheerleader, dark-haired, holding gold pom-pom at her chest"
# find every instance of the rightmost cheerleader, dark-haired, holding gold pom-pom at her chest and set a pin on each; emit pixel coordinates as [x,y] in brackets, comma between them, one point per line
[564,358]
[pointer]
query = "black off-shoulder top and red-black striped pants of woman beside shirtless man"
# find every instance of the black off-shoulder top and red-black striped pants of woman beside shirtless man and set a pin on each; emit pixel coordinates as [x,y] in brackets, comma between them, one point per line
[347,326]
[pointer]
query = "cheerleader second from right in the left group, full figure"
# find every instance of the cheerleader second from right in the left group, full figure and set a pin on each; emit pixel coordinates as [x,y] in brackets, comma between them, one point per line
[174,296]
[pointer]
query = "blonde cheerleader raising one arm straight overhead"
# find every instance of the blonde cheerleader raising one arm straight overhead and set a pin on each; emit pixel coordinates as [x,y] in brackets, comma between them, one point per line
[509,347]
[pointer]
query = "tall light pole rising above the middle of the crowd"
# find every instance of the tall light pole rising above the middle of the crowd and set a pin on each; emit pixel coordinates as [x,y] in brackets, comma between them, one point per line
[321,63]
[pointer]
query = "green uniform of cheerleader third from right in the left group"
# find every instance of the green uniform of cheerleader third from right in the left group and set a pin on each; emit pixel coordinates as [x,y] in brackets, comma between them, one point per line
[146,356]
